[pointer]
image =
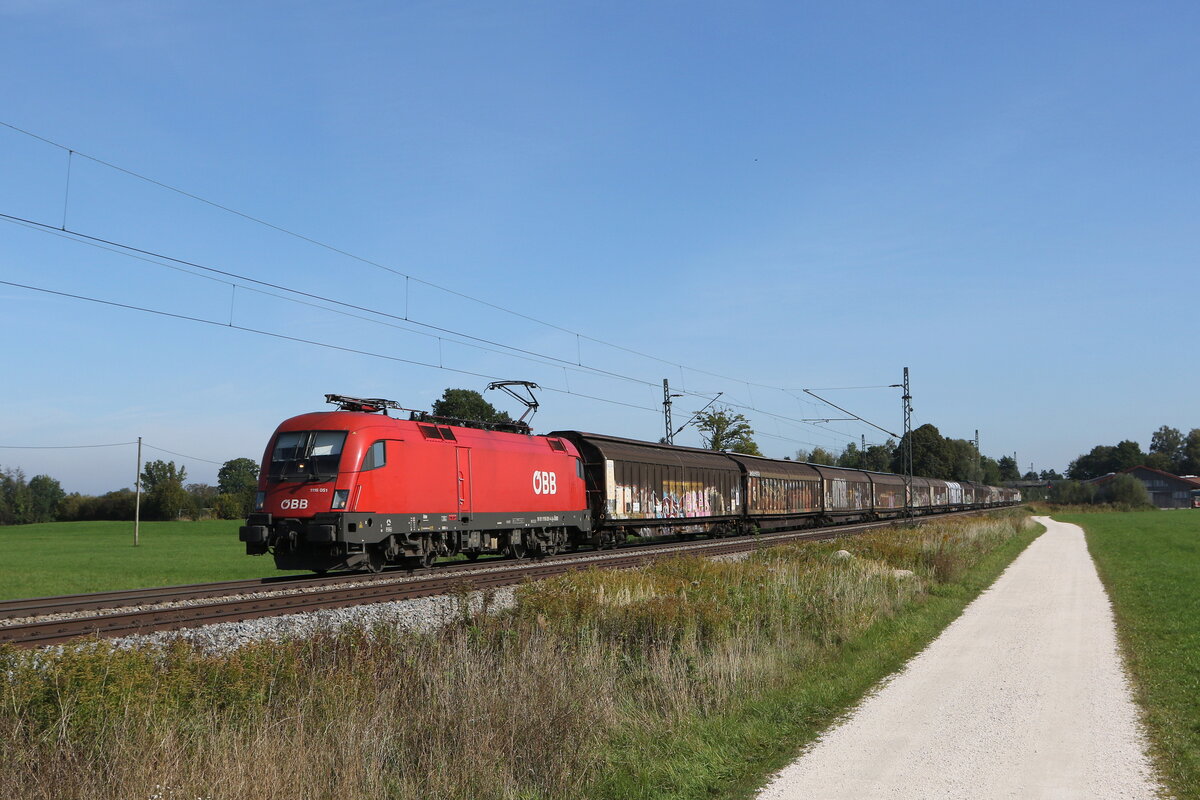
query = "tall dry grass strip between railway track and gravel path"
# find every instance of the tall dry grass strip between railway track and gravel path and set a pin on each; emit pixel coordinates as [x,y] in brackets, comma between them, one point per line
[525,703]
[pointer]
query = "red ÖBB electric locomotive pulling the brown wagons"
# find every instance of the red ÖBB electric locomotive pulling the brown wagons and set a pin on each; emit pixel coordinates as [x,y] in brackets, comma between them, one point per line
[356,489]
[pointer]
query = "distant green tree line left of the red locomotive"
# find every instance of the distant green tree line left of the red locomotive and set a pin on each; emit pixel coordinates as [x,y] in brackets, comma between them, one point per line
[166,495]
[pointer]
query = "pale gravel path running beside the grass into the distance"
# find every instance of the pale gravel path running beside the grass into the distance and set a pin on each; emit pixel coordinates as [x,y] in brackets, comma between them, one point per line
[1024,696]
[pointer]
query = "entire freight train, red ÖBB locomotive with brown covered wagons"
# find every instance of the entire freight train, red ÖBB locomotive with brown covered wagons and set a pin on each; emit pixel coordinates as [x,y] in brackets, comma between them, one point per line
[358,490]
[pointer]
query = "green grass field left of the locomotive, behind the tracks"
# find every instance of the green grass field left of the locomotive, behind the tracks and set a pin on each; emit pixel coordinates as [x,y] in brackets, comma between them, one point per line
[67,558]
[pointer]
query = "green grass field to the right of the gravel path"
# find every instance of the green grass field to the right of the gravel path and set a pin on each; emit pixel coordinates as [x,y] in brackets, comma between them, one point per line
[1150,563]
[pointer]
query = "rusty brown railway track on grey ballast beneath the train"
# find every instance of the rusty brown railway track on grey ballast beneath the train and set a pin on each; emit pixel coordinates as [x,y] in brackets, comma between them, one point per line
[61,619]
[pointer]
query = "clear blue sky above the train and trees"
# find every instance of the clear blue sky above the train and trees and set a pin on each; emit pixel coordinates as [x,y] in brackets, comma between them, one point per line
[999,196]
